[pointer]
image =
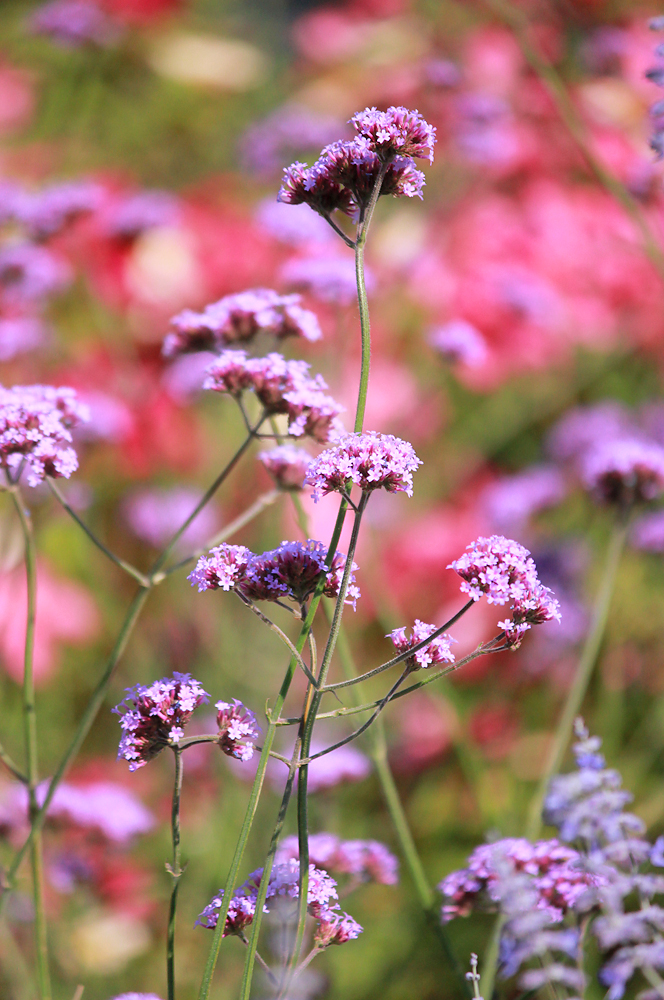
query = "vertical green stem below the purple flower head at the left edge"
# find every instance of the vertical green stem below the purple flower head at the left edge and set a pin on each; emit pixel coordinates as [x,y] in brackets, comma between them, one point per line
[31,745]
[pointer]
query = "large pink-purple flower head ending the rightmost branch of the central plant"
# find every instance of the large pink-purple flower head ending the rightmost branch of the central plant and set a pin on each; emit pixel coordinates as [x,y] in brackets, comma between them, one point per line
[503,571]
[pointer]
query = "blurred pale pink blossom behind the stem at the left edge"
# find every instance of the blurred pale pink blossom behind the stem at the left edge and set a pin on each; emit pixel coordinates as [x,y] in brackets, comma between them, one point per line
[66,614]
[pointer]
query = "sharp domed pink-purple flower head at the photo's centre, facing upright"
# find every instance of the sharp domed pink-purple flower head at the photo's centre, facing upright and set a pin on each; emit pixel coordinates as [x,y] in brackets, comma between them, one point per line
[371,461]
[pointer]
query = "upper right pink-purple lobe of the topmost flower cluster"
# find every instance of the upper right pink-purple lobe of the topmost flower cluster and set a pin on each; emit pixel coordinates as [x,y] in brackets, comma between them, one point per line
[395,132]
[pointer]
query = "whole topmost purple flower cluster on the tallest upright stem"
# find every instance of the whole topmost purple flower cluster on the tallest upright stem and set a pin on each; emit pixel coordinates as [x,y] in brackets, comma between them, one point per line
[344,175]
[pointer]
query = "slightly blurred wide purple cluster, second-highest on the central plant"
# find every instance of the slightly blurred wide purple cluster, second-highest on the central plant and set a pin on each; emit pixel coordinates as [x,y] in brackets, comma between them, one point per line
[238,319]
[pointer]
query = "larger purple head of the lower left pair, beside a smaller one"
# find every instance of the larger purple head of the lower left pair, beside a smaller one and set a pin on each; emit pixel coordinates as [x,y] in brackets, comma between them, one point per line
[154,717]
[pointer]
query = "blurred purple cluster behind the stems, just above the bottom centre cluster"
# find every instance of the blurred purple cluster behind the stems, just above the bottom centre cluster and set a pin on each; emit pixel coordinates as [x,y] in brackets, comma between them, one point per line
[364,860]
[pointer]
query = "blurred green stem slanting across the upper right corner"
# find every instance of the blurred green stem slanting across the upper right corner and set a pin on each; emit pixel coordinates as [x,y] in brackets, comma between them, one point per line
[576,128]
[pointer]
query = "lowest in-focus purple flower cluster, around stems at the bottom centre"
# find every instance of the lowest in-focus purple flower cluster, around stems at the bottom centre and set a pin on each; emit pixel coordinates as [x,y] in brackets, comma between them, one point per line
[333,926]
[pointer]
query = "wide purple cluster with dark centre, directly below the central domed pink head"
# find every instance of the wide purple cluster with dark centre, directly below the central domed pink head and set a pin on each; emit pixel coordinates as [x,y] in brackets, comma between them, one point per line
[290,571]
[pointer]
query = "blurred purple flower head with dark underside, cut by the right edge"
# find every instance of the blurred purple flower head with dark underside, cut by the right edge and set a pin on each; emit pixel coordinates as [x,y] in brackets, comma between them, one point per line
[624,471]
